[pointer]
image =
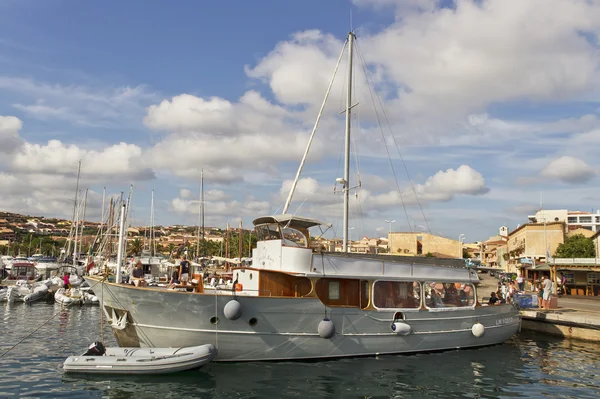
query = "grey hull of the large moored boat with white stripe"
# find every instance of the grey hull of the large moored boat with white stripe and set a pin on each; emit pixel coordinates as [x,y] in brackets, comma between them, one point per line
[271,328]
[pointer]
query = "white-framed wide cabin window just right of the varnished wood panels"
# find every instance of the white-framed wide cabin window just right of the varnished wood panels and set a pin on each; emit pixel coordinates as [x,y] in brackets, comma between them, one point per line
[397,294]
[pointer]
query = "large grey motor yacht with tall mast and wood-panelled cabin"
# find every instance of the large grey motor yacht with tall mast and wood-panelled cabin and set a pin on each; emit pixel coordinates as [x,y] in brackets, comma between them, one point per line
[294,303]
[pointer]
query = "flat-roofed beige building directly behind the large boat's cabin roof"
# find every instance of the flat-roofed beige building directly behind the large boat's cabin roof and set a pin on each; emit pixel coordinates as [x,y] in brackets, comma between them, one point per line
[421,244]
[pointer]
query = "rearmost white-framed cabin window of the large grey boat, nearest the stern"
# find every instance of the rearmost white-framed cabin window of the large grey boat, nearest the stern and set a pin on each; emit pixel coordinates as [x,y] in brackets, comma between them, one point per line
[449,295]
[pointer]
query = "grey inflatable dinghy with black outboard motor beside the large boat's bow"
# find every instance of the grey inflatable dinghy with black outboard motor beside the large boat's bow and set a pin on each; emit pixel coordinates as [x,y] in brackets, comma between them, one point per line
[99,359]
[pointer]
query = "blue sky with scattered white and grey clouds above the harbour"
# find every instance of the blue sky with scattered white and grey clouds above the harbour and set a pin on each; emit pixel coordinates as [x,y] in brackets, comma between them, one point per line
[469,114]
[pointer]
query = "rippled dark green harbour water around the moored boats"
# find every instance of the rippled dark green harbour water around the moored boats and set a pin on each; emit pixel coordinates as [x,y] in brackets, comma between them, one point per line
[527,366]
